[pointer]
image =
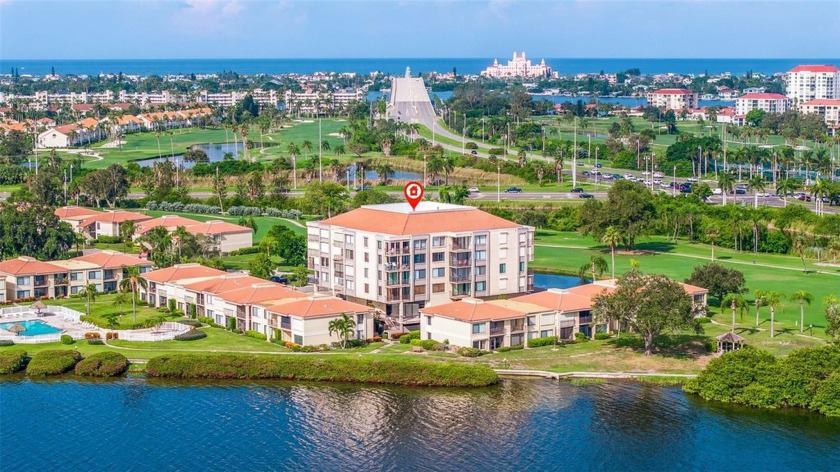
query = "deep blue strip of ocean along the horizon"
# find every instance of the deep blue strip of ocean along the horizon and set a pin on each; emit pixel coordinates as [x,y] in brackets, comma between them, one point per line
[396,65]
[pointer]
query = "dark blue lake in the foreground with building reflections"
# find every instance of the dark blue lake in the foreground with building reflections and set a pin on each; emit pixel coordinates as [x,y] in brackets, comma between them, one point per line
[138,424]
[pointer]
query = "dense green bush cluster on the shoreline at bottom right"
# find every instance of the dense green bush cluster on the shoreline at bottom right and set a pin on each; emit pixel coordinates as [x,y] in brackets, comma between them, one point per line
[806,378]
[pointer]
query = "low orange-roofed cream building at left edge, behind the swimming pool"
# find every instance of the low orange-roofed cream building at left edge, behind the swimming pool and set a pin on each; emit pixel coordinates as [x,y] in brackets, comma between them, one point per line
[26,277]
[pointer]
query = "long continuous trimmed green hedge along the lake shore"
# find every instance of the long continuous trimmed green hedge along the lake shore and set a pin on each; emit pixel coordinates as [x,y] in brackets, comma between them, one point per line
[406,371]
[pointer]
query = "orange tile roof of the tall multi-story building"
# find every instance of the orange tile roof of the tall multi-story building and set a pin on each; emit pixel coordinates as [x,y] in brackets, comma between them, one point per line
[378,219]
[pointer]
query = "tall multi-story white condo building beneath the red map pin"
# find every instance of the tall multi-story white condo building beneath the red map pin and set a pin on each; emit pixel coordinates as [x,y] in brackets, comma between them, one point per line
[401,259]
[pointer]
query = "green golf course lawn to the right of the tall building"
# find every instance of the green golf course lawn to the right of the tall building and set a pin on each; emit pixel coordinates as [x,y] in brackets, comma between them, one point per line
[567,252]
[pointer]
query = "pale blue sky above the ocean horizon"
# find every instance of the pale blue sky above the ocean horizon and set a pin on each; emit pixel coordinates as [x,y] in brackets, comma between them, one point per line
[198,29]
